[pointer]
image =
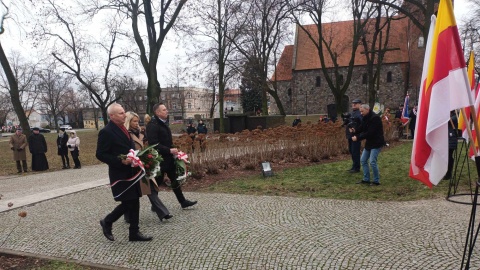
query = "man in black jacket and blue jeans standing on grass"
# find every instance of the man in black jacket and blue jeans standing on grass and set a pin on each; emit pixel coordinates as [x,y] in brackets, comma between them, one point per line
[370,130]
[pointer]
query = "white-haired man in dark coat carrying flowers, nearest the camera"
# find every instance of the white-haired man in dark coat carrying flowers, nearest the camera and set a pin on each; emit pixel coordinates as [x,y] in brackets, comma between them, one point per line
[113,141]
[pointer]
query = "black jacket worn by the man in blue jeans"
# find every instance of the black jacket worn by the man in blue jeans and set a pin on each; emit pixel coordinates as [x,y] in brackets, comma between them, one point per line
[371,130]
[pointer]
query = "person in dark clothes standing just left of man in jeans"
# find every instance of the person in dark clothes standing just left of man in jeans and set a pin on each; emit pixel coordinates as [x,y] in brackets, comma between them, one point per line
[354,121]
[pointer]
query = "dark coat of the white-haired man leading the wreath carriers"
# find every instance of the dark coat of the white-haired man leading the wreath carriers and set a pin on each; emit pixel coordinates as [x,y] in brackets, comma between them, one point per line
[112,143]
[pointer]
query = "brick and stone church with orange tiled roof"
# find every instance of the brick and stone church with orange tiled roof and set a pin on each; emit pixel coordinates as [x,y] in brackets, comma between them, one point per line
[301,83]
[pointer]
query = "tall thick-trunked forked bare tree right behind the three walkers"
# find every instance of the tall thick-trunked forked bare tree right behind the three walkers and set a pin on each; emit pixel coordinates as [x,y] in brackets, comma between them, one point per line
[158,18]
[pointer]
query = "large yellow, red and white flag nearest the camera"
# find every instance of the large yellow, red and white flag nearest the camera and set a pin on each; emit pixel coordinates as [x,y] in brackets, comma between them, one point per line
[444,88]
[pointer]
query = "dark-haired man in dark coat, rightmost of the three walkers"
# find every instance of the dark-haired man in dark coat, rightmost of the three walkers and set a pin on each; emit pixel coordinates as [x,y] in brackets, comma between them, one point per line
[159,133]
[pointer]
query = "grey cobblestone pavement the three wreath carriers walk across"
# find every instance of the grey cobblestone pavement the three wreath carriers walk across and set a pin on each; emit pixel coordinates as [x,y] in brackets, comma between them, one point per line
[234,231]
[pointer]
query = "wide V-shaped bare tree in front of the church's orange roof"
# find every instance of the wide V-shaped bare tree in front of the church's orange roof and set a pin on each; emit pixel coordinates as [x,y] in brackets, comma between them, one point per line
[322,36]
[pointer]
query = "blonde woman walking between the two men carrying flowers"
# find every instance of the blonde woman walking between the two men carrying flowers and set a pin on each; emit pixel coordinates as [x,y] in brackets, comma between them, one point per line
[149,188]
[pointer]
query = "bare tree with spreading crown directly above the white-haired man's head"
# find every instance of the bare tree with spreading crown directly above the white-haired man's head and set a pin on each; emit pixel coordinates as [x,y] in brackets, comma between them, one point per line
[77,54]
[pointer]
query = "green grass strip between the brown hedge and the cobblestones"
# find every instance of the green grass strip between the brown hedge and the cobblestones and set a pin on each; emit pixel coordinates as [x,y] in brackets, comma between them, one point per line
[331,180]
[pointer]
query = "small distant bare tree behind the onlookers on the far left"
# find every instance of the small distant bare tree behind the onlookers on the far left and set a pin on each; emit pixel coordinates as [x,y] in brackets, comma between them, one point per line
[53,87]
